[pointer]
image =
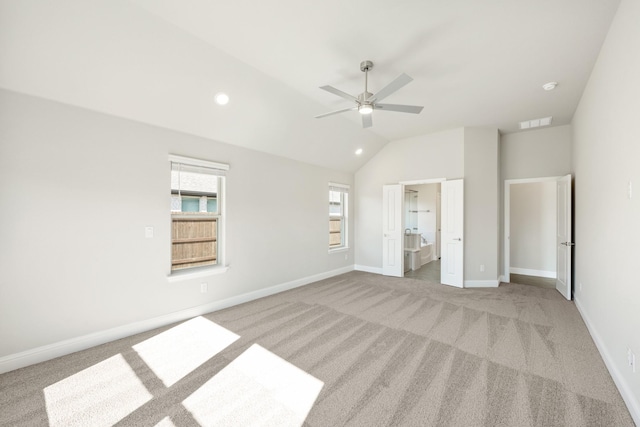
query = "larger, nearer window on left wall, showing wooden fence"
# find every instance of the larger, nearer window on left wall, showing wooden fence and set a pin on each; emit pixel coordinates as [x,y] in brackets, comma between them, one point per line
[197,206]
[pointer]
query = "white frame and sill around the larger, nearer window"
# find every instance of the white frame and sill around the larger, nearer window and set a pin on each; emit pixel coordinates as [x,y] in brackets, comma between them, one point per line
[220,266]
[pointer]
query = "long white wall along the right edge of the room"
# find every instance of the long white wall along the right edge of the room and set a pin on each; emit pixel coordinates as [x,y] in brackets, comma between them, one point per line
[606,153]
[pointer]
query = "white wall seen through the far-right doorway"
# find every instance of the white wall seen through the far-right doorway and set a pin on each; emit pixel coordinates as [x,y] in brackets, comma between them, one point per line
[533,228]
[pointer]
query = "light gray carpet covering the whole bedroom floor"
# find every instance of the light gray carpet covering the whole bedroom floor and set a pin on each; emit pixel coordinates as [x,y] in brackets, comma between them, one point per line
[380,351]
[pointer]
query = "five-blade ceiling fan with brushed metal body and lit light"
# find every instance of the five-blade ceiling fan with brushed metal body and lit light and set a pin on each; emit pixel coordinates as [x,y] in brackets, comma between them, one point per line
[366,102]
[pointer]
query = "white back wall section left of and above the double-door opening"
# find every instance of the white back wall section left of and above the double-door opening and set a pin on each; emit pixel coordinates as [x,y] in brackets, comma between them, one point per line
[438,155]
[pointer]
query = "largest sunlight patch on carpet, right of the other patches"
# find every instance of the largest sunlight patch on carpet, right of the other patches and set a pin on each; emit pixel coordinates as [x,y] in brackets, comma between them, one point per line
[257,388]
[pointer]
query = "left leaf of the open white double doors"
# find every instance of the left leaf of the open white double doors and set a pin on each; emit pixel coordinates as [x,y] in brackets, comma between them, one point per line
[392,248]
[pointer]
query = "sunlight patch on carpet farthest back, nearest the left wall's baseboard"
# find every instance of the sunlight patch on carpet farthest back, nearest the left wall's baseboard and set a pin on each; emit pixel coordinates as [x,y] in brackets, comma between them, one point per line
[176,352]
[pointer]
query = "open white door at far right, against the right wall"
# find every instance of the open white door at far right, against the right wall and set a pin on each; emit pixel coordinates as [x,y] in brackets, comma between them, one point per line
[563,237]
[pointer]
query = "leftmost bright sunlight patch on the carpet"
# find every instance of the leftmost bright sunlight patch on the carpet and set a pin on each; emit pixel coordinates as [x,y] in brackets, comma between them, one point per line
[100,395]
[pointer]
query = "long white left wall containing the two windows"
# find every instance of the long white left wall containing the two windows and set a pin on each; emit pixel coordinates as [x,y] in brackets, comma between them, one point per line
[78,189]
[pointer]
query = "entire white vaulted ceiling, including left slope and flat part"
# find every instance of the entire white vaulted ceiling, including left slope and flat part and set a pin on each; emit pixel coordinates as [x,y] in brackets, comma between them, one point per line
[474,63]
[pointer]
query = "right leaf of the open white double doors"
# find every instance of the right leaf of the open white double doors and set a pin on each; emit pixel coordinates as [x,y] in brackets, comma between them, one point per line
[452,233]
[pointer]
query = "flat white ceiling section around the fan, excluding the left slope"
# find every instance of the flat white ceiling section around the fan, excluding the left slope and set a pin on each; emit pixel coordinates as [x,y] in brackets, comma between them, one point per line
[474,63]
